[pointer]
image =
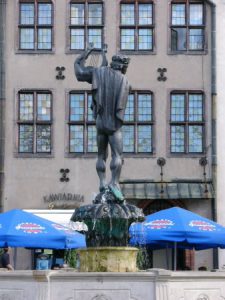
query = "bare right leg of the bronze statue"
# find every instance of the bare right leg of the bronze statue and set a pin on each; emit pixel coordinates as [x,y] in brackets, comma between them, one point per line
[116,144]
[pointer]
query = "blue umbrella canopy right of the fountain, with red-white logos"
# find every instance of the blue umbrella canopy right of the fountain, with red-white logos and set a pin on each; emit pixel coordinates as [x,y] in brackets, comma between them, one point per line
[177,225]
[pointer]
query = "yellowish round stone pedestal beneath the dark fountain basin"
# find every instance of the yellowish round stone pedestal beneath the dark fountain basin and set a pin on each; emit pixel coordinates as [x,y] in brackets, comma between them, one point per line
[108,259]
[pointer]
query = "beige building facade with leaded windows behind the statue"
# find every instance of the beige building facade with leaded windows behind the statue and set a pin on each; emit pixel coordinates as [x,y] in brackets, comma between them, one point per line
[169,128]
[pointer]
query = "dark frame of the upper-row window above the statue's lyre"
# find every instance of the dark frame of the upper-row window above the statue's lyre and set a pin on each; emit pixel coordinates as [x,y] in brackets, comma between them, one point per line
[84,26]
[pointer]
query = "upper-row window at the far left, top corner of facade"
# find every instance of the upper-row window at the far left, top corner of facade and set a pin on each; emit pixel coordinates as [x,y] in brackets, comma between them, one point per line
[35,25]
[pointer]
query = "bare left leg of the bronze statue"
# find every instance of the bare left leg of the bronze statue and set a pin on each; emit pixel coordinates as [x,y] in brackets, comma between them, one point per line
[102,141]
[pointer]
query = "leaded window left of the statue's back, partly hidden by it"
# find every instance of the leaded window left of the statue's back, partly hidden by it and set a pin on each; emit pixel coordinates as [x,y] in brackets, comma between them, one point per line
[82,130]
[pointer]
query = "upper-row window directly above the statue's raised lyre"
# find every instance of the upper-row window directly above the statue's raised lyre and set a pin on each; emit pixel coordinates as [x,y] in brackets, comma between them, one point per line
[86,24]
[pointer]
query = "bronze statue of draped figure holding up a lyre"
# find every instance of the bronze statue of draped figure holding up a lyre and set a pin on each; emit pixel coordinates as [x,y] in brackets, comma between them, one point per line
[110,89]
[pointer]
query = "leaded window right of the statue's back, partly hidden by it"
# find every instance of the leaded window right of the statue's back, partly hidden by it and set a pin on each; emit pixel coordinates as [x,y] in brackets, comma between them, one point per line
[138,123]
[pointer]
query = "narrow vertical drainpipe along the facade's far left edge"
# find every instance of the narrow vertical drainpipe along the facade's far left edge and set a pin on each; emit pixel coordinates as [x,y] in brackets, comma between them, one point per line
[2,97]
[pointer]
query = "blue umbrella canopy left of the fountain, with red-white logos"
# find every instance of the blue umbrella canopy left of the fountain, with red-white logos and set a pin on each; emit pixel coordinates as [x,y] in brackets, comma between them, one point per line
[22,229]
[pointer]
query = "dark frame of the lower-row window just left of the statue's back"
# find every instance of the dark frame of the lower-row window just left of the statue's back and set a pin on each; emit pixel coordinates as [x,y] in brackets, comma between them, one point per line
[85,123]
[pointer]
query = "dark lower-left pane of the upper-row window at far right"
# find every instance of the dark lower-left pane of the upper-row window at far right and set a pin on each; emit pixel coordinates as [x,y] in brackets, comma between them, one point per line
[178,38]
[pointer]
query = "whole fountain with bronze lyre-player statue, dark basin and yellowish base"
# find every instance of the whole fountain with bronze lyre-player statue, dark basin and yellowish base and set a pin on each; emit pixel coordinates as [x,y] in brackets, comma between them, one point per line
[109,217]
